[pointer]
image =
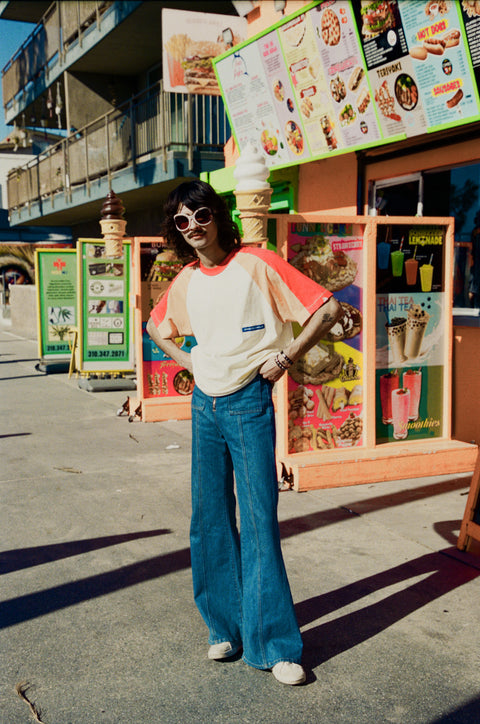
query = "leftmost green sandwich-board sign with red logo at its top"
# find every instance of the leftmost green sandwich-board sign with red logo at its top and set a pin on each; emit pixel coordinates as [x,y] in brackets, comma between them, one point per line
[56,275]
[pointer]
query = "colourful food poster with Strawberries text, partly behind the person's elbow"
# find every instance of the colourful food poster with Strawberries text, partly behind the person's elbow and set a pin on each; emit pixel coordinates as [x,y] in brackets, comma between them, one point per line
[325,386]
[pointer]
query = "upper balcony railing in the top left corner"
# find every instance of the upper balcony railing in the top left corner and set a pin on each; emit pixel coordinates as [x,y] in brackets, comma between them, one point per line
[64,23]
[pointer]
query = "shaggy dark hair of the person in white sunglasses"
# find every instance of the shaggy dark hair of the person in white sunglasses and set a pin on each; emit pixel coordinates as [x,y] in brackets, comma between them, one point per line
[195,194]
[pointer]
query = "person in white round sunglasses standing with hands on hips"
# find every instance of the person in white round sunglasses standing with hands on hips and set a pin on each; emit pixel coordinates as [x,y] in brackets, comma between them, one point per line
[239,303]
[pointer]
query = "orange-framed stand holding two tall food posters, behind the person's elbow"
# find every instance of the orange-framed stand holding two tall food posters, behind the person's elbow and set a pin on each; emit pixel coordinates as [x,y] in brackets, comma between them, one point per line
[373,401]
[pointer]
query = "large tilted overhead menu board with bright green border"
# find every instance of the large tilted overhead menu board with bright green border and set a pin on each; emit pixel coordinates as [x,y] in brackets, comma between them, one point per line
[339,76]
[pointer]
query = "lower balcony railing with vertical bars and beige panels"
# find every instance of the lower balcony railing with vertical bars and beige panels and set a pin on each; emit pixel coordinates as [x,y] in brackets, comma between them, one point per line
[153,123]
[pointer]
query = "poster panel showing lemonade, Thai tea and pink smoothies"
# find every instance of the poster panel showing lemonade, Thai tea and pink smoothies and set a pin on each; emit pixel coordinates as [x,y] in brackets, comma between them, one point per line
[410,328]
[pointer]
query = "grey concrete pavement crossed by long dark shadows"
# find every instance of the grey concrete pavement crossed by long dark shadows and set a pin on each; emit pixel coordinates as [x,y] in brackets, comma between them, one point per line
[96,609]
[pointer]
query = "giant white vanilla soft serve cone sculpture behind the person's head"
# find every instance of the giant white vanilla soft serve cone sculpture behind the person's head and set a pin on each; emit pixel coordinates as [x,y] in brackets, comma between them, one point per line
[253,193]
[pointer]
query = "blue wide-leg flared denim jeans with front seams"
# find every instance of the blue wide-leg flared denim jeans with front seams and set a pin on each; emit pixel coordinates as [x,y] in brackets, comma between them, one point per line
[239,578]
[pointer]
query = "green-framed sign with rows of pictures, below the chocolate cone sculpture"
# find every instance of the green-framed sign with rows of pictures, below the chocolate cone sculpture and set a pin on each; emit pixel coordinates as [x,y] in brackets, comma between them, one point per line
[106,318]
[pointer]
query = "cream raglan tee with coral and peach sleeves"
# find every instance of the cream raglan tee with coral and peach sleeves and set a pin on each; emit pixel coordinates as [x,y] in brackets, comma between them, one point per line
[239,312]
